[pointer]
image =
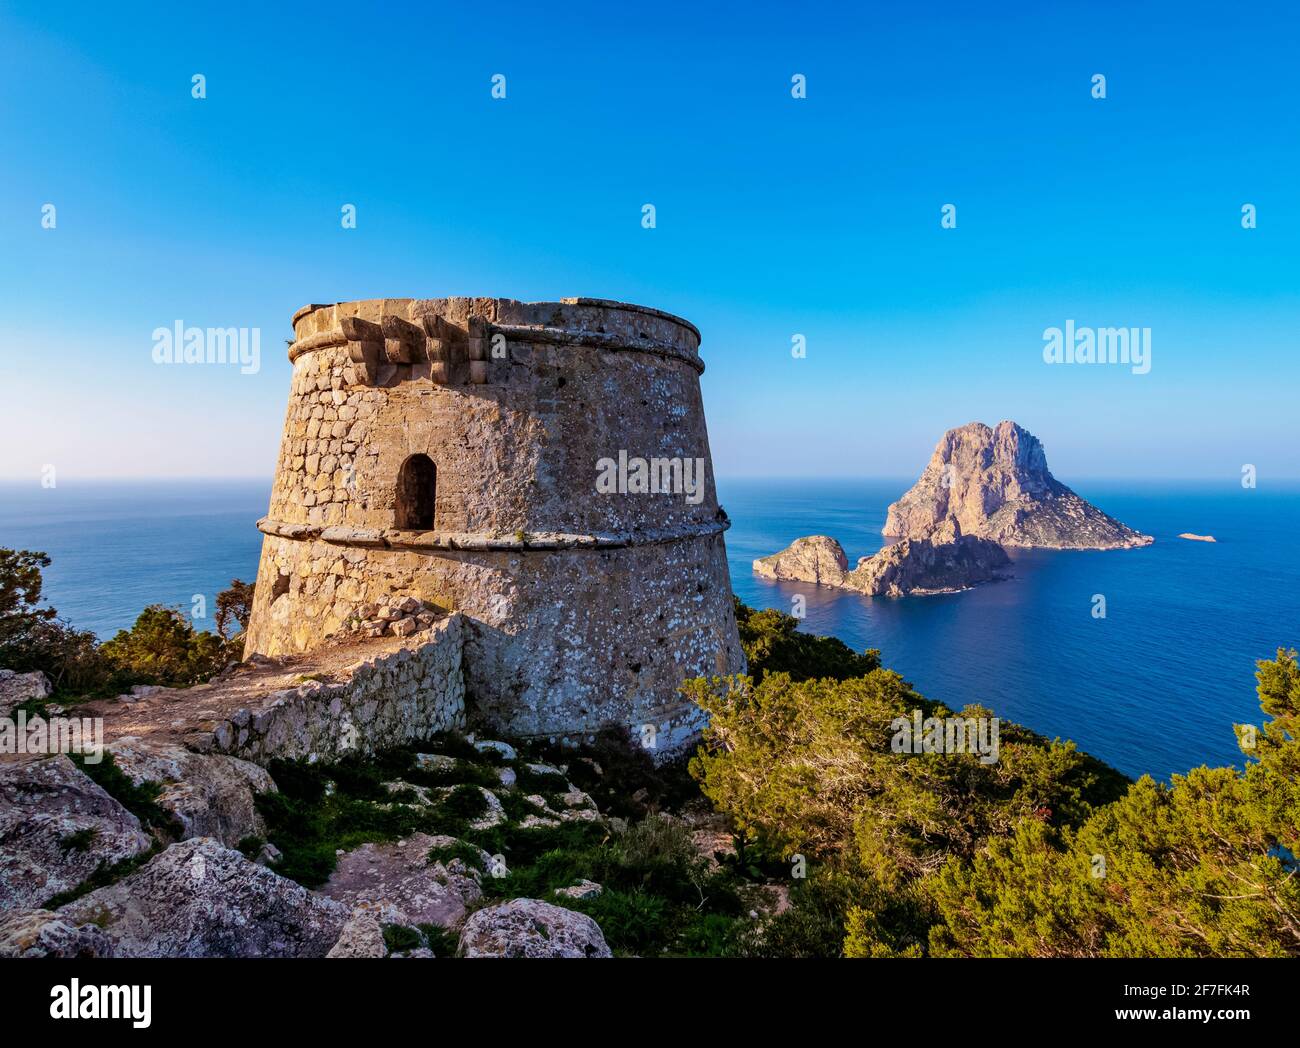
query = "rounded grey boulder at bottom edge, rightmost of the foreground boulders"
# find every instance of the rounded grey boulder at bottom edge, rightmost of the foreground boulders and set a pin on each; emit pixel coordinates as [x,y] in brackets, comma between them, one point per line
[528,928]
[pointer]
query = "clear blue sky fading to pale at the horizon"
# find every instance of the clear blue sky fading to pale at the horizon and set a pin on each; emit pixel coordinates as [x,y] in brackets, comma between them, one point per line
[775,216]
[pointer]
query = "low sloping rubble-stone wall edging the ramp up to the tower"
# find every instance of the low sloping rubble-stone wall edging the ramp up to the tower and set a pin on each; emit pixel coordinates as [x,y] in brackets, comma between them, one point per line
[387,701]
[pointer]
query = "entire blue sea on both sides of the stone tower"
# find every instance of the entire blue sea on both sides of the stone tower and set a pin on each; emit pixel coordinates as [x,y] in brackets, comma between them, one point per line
[1154,687]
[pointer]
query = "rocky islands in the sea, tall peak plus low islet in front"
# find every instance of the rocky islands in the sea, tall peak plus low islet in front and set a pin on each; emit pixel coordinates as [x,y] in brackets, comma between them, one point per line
[983,490]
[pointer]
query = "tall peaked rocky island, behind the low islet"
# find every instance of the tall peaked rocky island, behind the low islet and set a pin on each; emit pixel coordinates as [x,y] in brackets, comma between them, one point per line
[996,484]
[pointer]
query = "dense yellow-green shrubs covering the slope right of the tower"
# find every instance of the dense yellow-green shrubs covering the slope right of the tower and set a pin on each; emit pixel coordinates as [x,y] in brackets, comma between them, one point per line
[1045,852]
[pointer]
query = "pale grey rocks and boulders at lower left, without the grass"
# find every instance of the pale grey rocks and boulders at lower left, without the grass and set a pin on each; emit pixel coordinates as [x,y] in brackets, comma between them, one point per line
[84,874]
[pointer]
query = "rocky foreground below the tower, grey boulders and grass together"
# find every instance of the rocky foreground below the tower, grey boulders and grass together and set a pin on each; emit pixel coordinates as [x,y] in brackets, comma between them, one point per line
[460,847]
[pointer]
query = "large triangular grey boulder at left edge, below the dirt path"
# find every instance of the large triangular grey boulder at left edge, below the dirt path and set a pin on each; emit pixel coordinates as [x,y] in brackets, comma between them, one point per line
[57,829]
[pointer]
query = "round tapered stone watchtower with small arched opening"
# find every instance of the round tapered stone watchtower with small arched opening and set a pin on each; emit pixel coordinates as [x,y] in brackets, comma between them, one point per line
[543,469]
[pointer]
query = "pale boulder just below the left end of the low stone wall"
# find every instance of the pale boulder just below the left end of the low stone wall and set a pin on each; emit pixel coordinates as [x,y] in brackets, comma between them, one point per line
[211,795]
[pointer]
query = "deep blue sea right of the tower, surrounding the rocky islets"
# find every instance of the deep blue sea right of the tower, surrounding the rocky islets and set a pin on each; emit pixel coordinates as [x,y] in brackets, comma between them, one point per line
[1155,687]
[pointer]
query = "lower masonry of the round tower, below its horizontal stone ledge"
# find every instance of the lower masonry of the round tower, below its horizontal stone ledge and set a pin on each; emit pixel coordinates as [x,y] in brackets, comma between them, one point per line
[556,643]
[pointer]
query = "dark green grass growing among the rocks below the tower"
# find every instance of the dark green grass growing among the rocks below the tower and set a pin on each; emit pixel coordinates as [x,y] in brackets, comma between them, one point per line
[660,895]
